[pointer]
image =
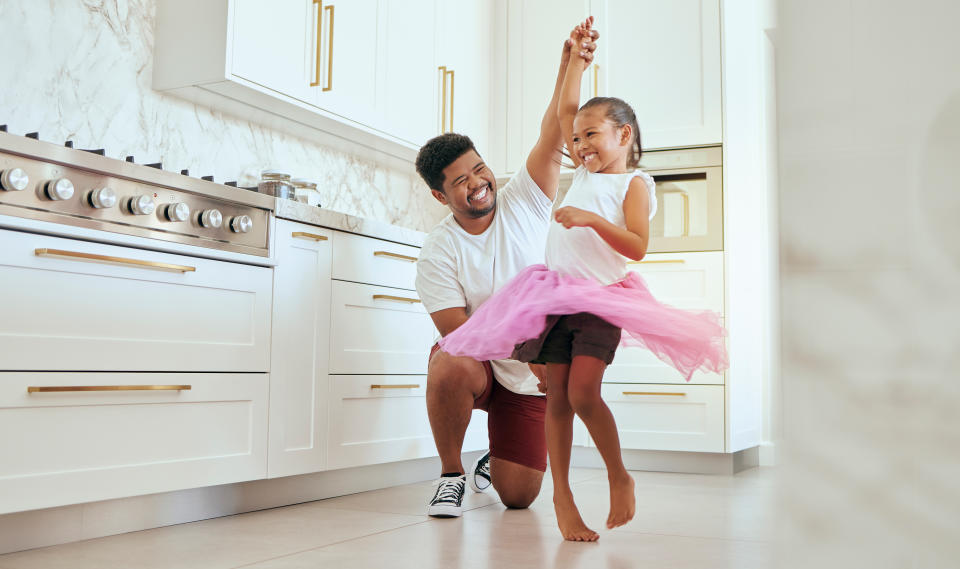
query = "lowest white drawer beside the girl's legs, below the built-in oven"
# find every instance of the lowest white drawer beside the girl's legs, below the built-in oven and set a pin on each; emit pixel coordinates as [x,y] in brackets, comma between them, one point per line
[667,417]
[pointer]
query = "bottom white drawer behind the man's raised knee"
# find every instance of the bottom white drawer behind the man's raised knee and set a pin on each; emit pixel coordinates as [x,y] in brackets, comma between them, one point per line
[383,418]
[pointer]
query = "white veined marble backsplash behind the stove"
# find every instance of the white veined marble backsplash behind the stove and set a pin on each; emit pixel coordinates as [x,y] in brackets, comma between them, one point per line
[82,70]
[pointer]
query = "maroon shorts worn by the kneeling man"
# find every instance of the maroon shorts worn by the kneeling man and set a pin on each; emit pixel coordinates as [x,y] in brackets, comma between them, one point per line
[514,422]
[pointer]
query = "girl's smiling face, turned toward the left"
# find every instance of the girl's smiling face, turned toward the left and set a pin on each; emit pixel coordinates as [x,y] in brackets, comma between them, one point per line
[599,143]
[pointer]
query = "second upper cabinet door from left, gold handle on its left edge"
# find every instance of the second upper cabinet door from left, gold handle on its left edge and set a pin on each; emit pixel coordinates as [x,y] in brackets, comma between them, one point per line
[347,48]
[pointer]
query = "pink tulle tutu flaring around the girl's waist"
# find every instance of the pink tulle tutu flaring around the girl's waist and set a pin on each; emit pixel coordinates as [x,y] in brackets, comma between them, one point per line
[688,340]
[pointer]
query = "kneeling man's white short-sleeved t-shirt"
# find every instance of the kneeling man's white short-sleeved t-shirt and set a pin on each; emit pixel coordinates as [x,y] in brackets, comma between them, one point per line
[457,269]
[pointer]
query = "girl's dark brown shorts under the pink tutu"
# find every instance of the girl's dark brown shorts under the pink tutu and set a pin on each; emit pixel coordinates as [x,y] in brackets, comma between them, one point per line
[566,336]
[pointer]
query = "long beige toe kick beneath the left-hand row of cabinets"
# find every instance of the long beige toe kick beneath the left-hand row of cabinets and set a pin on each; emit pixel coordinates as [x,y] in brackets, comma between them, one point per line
[54,526]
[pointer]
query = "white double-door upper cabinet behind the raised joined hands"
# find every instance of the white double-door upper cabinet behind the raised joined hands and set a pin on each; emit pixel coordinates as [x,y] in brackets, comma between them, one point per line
[661,57]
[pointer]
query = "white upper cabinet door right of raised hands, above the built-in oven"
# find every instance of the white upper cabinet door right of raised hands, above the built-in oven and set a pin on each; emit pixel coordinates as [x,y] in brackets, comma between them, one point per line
[664,59]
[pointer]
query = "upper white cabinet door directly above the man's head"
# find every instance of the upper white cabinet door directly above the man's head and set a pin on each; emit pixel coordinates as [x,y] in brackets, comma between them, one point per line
[464,52]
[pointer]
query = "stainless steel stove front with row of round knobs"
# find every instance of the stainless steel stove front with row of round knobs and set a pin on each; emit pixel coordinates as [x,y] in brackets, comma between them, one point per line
[83,188]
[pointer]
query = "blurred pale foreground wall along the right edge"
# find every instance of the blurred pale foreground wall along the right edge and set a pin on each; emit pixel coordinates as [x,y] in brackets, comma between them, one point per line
[869,144]
